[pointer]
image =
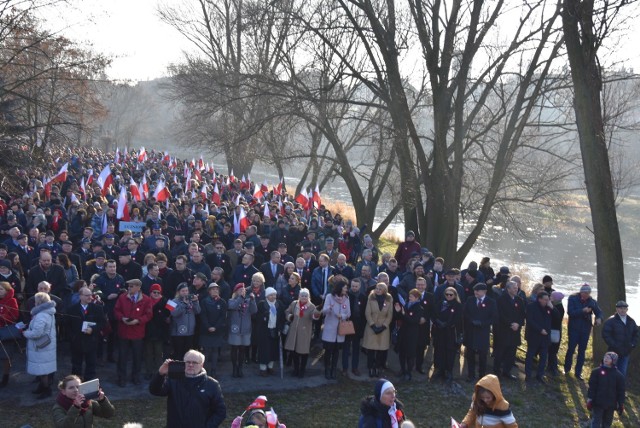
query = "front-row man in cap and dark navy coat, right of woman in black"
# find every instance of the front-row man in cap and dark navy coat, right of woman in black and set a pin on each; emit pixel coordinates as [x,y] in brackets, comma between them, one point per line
[480,313]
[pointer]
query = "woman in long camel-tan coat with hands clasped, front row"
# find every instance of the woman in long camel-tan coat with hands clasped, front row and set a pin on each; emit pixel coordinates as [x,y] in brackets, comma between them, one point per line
[379,314]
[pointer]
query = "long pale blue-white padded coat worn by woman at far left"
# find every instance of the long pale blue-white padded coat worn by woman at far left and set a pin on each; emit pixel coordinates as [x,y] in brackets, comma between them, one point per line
[41,361]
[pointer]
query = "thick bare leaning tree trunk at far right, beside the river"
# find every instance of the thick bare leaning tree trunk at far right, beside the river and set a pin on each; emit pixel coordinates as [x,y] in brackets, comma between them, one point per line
[580,39]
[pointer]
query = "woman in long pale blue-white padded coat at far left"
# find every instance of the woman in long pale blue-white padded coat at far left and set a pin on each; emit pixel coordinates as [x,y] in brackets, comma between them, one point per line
[41,356]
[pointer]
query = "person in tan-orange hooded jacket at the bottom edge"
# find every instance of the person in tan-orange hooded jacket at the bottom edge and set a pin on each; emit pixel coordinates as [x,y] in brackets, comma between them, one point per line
[488,408]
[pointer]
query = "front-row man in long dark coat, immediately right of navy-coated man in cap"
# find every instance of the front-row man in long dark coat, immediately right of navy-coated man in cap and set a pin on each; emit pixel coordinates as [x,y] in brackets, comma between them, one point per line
[506,338]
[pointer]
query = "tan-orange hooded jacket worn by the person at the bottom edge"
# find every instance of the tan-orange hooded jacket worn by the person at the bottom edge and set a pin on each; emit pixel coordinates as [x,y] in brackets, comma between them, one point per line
[499,416]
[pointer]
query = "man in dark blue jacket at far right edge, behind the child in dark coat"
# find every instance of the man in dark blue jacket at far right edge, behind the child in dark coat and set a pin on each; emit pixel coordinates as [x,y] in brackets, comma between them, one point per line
[620,332]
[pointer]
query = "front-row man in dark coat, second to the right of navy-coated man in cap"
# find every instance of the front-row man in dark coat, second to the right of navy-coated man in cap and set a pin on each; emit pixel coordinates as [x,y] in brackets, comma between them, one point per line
[539,317]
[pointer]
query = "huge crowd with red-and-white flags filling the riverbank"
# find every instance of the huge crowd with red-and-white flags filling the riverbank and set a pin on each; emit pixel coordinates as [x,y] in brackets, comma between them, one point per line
[144,257]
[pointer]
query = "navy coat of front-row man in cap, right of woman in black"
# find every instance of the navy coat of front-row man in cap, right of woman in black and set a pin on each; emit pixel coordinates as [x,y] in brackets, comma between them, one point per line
[478,321]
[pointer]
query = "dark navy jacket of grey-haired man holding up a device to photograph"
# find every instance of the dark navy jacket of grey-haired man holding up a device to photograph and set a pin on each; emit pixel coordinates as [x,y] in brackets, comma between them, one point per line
[191,402]
